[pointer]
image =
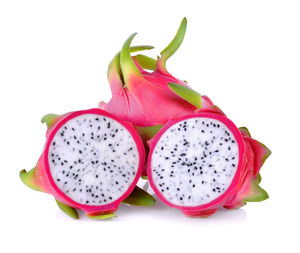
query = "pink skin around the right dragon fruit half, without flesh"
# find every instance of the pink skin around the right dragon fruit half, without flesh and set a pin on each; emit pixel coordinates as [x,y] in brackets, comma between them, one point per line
[252,155]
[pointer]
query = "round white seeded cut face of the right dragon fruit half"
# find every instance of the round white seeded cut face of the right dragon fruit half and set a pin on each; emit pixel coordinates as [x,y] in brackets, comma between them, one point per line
[195,160]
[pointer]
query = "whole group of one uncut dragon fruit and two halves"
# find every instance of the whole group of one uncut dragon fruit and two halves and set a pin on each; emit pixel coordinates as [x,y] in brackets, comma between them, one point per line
[154,126]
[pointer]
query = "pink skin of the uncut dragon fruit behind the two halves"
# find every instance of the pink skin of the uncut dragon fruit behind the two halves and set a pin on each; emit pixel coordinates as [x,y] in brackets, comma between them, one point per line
[148,101]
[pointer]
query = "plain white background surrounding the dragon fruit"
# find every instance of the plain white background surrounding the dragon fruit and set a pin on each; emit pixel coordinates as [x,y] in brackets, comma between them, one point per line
[244,54]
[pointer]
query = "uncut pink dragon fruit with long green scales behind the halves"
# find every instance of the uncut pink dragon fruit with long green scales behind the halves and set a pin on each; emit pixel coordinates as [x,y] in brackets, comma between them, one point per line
[136,93]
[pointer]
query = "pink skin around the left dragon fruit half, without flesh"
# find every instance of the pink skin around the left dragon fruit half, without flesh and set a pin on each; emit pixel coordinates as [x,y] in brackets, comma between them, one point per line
[44,180]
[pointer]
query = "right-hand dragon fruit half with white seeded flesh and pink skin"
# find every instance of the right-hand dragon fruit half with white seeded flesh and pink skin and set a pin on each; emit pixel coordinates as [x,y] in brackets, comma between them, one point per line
[202,162]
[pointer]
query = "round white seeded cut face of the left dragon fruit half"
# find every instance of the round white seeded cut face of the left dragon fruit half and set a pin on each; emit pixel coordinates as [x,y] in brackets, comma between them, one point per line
[92,158]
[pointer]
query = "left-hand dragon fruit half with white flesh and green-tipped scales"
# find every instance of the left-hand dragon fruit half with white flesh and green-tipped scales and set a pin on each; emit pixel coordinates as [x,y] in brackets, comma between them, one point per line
[91,161]
